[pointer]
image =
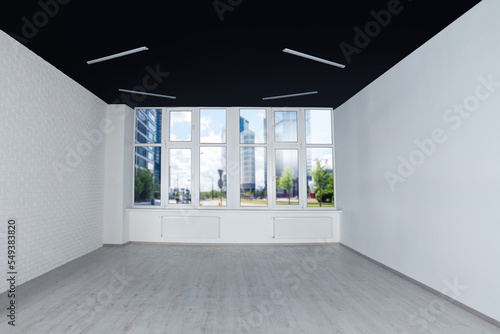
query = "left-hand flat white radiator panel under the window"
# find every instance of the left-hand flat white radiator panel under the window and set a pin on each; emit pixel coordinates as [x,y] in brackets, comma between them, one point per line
[190,227]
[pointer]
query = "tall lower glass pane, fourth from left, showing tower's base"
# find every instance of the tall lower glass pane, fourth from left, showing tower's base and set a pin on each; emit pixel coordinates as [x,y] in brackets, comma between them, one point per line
[253,173]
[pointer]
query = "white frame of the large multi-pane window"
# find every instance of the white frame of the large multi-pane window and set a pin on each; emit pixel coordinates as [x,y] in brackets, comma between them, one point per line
[233,159]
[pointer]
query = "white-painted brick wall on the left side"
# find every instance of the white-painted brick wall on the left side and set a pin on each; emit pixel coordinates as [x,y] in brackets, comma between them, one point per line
[43,113]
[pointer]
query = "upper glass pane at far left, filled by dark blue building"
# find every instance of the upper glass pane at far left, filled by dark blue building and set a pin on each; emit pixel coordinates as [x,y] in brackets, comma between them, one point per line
[151,117]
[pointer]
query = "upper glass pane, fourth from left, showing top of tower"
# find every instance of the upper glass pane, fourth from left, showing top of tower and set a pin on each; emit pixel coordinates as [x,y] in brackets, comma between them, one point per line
[253,126]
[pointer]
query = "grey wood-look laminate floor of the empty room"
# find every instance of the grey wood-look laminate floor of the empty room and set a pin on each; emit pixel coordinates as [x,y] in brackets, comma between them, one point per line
[231,289]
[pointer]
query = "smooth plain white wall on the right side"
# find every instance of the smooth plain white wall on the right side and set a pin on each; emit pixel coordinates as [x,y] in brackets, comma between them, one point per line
[442,224]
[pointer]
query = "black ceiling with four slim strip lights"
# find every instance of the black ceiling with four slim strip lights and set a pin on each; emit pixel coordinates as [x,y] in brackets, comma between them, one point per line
[231,62]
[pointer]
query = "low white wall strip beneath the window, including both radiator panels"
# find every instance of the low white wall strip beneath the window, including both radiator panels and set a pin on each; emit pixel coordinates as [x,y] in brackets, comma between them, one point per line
[233,226]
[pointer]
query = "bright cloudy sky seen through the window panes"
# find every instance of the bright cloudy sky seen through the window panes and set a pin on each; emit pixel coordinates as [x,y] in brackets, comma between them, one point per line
[212,131]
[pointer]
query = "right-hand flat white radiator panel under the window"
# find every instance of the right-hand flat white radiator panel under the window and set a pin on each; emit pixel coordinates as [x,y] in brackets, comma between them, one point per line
[303,228]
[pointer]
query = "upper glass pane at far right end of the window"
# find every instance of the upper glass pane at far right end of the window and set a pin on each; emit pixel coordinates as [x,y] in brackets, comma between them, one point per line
[318,126]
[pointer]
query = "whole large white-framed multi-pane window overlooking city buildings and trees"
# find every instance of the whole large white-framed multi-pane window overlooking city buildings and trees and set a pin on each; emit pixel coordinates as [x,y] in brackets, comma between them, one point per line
[235,158]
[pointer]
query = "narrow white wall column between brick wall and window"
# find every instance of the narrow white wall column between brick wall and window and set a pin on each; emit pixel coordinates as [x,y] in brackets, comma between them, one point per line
[119,173]
